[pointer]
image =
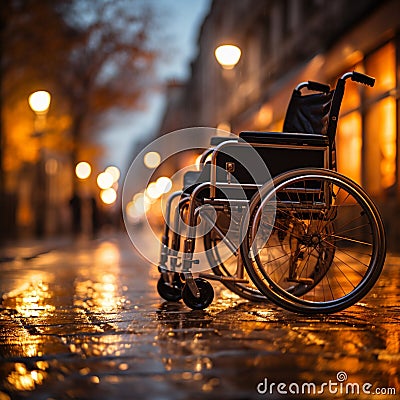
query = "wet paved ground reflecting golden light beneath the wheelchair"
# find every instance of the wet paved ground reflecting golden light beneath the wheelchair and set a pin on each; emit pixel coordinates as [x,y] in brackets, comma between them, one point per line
[86,322]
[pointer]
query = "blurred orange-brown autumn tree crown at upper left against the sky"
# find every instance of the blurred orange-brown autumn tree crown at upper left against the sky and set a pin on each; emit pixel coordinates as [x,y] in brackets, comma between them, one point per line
[94,56]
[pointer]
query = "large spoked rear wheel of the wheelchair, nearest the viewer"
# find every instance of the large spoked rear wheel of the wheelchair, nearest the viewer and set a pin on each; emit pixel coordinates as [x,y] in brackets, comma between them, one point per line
[327,247]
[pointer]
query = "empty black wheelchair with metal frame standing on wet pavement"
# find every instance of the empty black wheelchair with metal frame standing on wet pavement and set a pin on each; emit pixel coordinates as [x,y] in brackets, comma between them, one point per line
[274,218]
